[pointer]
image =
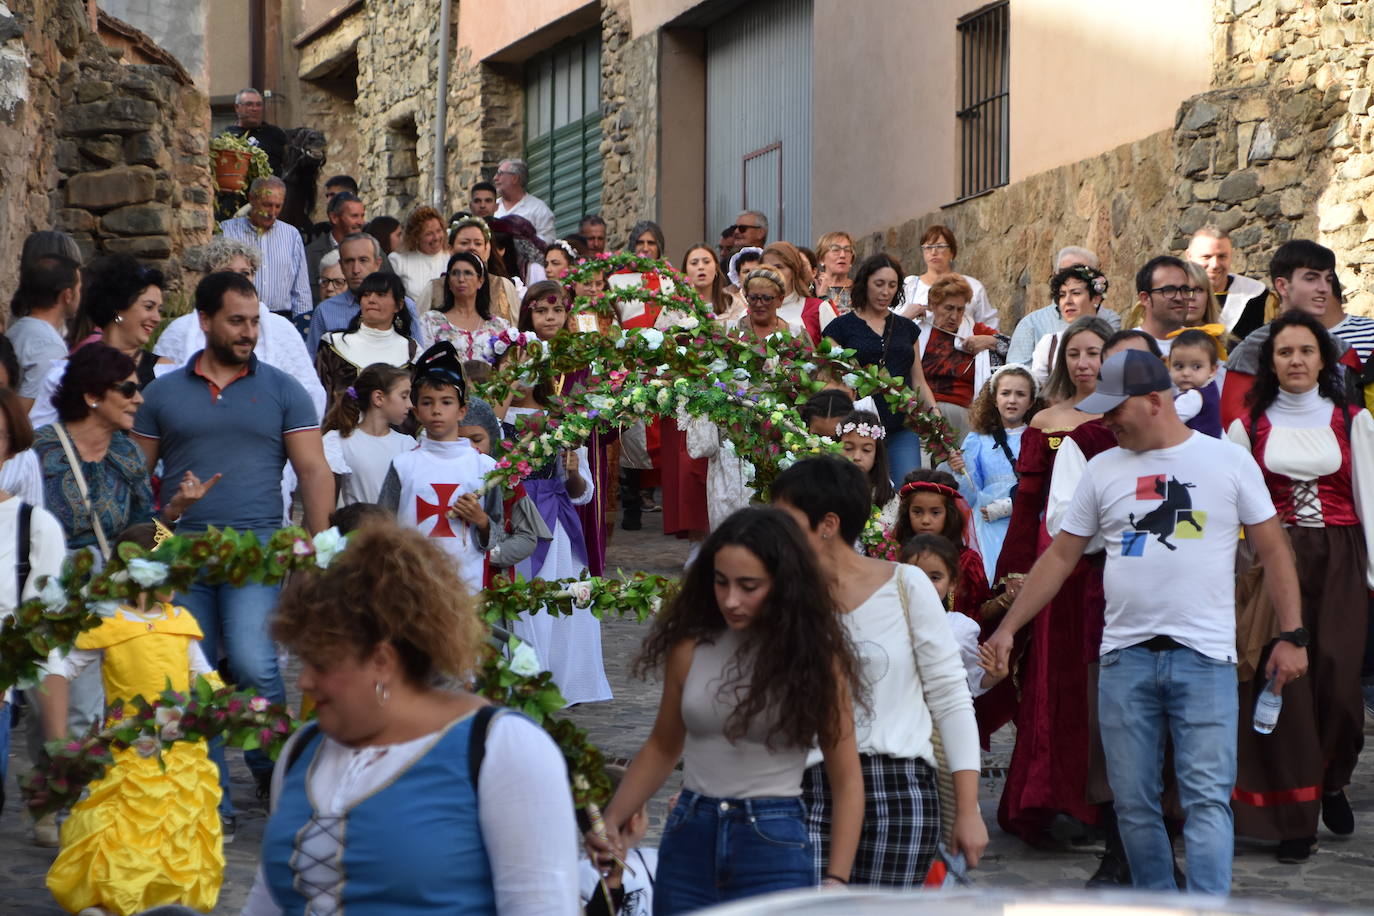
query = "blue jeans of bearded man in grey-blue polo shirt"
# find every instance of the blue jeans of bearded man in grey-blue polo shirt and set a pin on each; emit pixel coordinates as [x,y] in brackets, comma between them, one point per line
[240,617]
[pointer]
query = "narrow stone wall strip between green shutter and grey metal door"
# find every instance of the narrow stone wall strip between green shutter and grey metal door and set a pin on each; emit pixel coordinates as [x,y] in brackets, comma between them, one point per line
[630,123]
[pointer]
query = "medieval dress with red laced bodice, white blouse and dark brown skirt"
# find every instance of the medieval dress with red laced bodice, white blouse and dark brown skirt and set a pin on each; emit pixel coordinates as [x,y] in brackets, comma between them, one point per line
[1320,470]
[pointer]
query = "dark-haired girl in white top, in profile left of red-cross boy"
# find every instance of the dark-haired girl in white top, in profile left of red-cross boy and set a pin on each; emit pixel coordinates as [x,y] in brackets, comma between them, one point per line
[359,440]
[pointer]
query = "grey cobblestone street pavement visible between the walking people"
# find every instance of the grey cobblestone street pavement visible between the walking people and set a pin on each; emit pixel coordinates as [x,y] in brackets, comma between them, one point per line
[1340,874]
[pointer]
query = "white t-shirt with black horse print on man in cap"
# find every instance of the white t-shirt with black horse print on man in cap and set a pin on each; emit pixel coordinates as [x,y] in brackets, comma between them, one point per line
[1171,521]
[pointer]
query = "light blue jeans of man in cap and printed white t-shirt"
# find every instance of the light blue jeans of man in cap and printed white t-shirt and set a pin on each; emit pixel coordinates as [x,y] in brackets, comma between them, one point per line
[1142,697]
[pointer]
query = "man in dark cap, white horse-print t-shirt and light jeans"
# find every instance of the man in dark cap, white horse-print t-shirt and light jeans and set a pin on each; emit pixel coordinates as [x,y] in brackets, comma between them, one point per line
[1169,505]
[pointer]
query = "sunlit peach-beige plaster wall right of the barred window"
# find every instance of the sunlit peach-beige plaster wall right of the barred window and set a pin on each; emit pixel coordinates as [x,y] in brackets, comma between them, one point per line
[1126,65]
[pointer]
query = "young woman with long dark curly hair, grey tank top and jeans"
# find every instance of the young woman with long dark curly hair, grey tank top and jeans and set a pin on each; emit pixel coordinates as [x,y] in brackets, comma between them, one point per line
[758,669]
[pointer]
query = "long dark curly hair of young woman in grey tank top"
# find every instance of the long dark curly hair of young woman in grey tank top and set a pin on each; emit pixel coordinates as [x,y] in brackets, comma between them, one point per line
[795,657]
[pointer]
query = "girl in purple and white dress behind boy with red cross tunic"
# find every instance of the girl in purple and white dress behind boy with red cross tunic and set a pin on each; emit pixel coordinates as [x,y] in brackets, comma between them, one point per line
[568,646]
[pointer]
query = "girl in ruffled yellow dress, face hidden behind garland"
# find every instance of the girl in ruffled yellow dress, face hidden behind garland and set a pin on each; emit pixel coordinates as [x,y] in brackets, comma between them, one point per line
[144,836]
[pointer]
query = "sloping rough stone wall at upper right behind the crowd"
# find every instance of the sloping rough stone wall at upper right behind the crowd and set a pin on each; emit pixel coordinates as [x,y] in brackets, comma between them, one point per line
[1283,148]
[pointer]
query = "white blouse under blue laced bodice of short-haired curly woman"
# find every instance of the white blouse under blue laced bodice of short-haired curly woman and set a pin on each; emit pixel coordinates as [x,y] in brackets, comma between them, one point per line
[524,805]
